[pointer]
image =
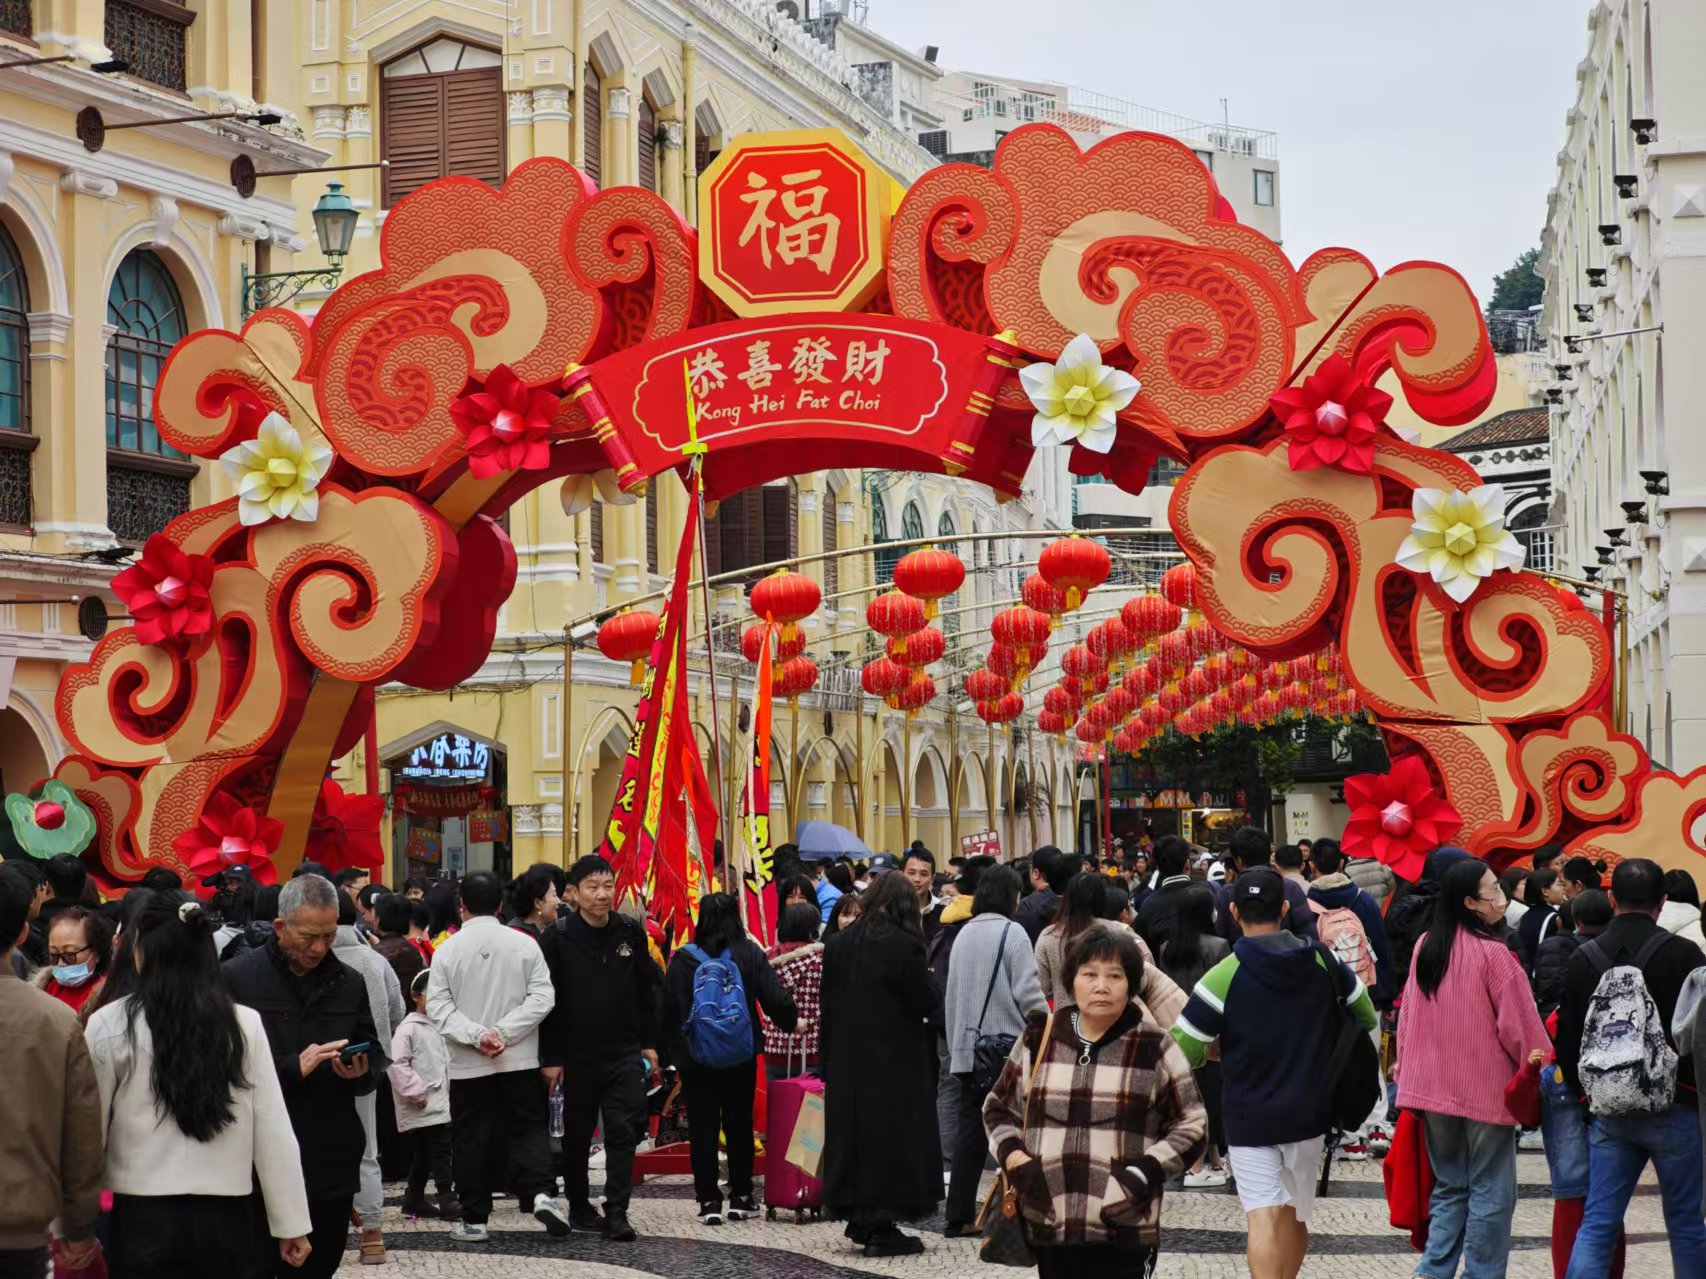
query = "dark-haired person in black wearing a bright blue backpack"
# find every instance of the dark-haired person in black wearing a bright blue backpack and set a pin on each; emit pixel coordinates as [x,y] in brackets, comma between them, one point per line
[721,1092]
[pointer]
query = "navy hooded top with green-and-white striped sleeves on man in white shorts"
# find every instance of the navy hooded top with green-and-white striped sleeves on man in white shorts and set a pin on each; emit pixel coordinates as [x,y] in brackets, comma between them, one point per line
[1274,1005]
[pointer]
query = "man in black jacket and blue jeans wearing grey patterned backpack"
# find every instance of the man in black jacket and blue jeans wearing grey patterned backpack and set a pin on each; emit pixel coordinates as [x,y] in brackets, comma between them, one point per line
[1622,1145]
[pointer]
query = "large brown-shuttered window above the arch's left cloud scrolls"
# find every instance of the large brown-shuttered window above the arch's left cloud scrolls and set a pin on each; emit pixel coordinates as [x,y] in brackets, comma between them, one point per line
[441,113]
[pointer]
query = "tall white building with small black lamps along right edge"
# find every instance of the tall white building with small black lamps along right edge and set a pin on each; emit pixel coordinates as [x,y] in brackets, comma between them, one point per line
[1625,265]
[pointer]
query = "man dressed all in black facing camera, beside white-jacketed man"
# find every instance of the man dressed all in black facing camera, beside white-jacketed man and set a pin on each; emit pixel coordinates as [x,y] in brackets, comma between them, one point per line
[595,1039]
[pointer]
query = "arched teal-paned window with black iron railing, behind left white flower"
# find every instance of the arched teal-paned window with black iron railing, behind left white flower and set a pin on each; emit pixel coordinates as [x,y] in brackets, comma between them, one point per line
[148,480]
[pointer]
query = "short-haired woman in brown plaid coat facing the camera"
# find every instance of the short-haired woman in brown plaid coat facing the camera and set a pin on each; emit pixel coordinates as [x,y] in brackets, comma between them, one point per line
[1091,1116]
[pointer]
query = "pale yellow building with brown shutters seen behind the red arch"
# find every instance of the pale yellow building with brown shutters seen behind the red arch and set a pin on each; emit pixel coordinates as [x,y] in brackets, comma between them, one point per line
[647,93]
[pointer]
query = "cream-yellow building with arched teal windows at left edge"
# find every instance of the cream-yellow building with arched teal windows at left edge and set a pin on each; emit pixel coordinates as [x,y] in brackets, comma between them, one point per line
[107,258]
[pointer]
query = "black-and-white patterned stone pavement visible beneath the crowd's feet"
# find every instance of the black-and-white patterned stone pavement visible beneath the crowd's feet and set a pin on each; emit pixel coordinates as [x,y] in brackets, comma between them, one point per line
[1202,1239]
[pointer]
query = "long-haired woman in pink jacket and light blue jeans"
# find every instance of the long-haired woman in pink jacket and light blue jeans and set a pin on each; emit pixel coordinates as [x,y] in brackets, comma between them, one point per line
[1468,1026]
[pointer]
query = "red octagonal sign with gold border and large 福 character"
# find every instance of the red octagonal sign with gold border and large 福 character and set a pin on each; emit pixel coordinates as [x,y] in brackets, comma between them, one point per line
[794,224]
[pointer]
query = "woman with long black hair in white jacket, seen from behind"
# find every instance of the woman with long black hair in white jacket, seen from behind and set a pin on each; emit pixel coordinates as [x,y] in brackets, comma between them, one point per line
[194,1113]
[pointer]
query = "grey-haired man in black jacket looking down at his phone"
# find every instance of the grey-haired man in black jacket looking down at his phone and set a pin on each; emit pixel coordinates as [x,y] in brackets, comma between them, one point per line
[313,1007]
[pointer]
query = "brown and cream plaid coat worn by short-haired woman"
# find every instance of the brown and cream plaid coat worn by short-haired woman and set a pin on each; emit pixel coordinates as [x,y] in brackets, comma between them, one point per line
[1134,1099]
